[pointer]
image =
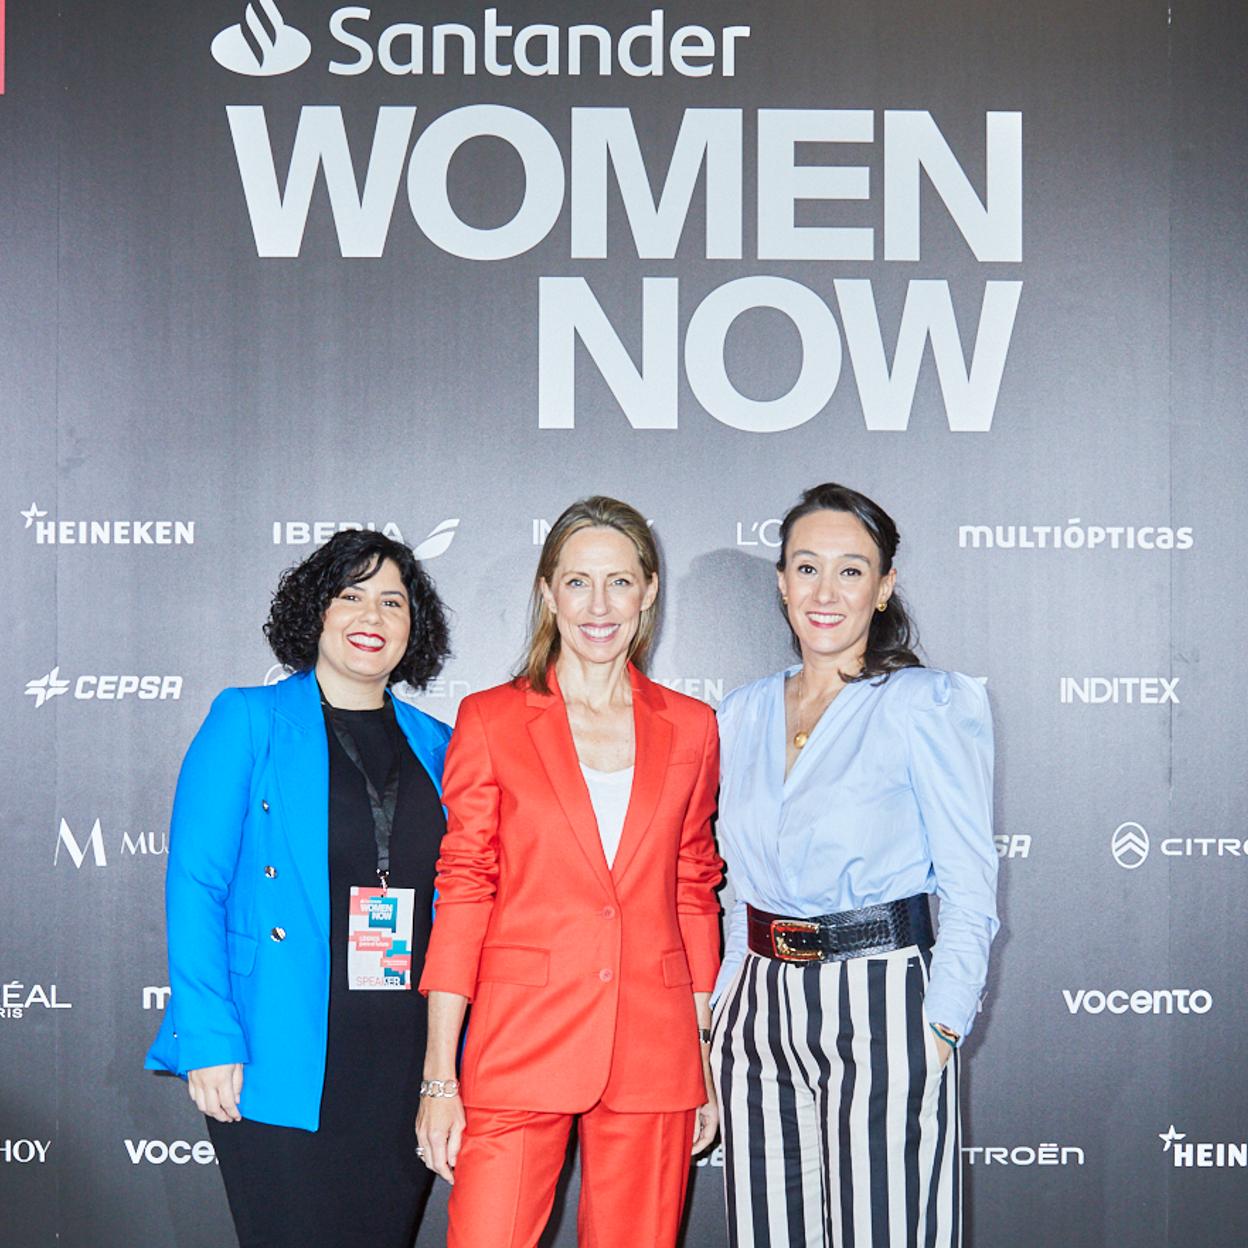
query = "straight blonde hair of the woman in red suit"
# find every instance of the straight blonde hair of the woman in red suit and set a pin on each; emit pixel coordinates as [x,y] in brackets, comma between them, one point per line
[597,512]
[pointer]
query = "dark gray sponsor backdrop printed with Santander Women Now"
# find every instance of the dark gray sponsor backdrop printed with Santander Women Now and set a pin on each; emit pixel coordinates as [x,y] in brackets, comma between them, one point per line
[273,269]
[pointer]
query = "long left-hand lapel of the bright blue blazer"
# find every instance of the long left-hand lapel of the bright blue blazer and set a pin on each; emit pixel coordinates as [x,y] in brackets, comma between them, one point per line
[301,766]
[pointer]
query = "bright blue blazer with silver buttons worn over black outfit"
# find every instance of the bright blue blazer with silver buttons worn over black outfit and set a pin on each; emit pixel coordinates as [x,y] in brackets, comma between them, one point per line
[248,895]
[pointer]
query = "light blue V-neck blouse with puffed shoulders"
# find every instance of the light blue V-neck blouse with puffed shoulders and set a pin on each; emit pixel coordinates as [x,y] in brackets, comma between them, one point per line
[892,797]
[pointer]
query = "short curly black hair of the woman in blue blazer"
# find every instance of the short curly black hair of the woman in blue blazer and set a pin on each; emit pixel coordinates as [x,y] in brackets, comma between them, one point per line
[305,592]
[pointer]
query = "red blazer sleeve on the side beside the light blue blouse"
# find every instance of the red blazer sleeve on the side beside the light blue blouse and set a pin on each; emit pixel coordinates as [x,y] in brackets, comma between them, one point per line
[700,870]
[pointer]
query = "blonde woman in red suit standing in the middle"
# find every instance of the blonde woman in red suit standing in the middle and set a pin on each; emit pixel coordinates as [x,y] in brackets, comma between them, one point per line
[577,913]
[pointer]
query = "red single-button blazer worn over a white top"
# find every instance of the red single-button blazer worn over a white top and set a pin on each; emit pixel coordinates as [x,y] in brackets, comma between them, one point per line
[582,978]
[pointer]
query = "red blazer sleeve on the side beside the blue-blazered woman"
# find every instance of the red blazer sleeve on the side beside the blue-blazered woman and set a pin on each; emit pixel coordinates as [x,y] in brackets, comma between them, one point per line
[467,878]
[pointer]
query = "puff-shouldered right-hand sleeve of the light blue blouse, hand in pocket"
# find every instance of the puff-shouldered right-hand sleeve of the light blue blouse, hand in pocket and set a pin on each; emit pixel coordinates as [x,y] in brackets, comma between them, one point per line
[952,773]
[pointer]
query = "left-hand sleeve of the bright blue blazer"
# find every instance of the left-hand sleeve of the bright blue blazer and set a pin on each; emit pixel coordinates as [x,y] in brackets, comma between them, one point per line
[210,807]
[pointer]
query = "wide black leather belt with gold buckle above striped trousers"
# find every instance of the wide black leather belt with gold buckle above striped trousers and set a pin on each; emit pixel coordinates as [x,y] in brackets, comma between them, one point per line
[839,938]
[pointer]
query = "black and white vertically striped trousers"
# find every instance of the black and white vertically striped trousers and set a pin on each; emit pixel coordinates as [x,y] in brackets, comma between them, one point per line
[841,1129]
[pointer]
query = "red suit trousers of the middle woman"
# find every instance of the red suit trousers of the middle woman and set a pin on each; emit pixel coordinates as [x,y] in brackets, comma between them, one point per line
[635,1171]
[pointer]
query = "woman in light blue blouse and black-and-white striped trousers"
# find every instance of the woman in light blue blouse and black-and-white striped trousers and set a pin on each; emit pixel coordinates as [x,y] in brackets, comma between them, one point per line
[853,787]
